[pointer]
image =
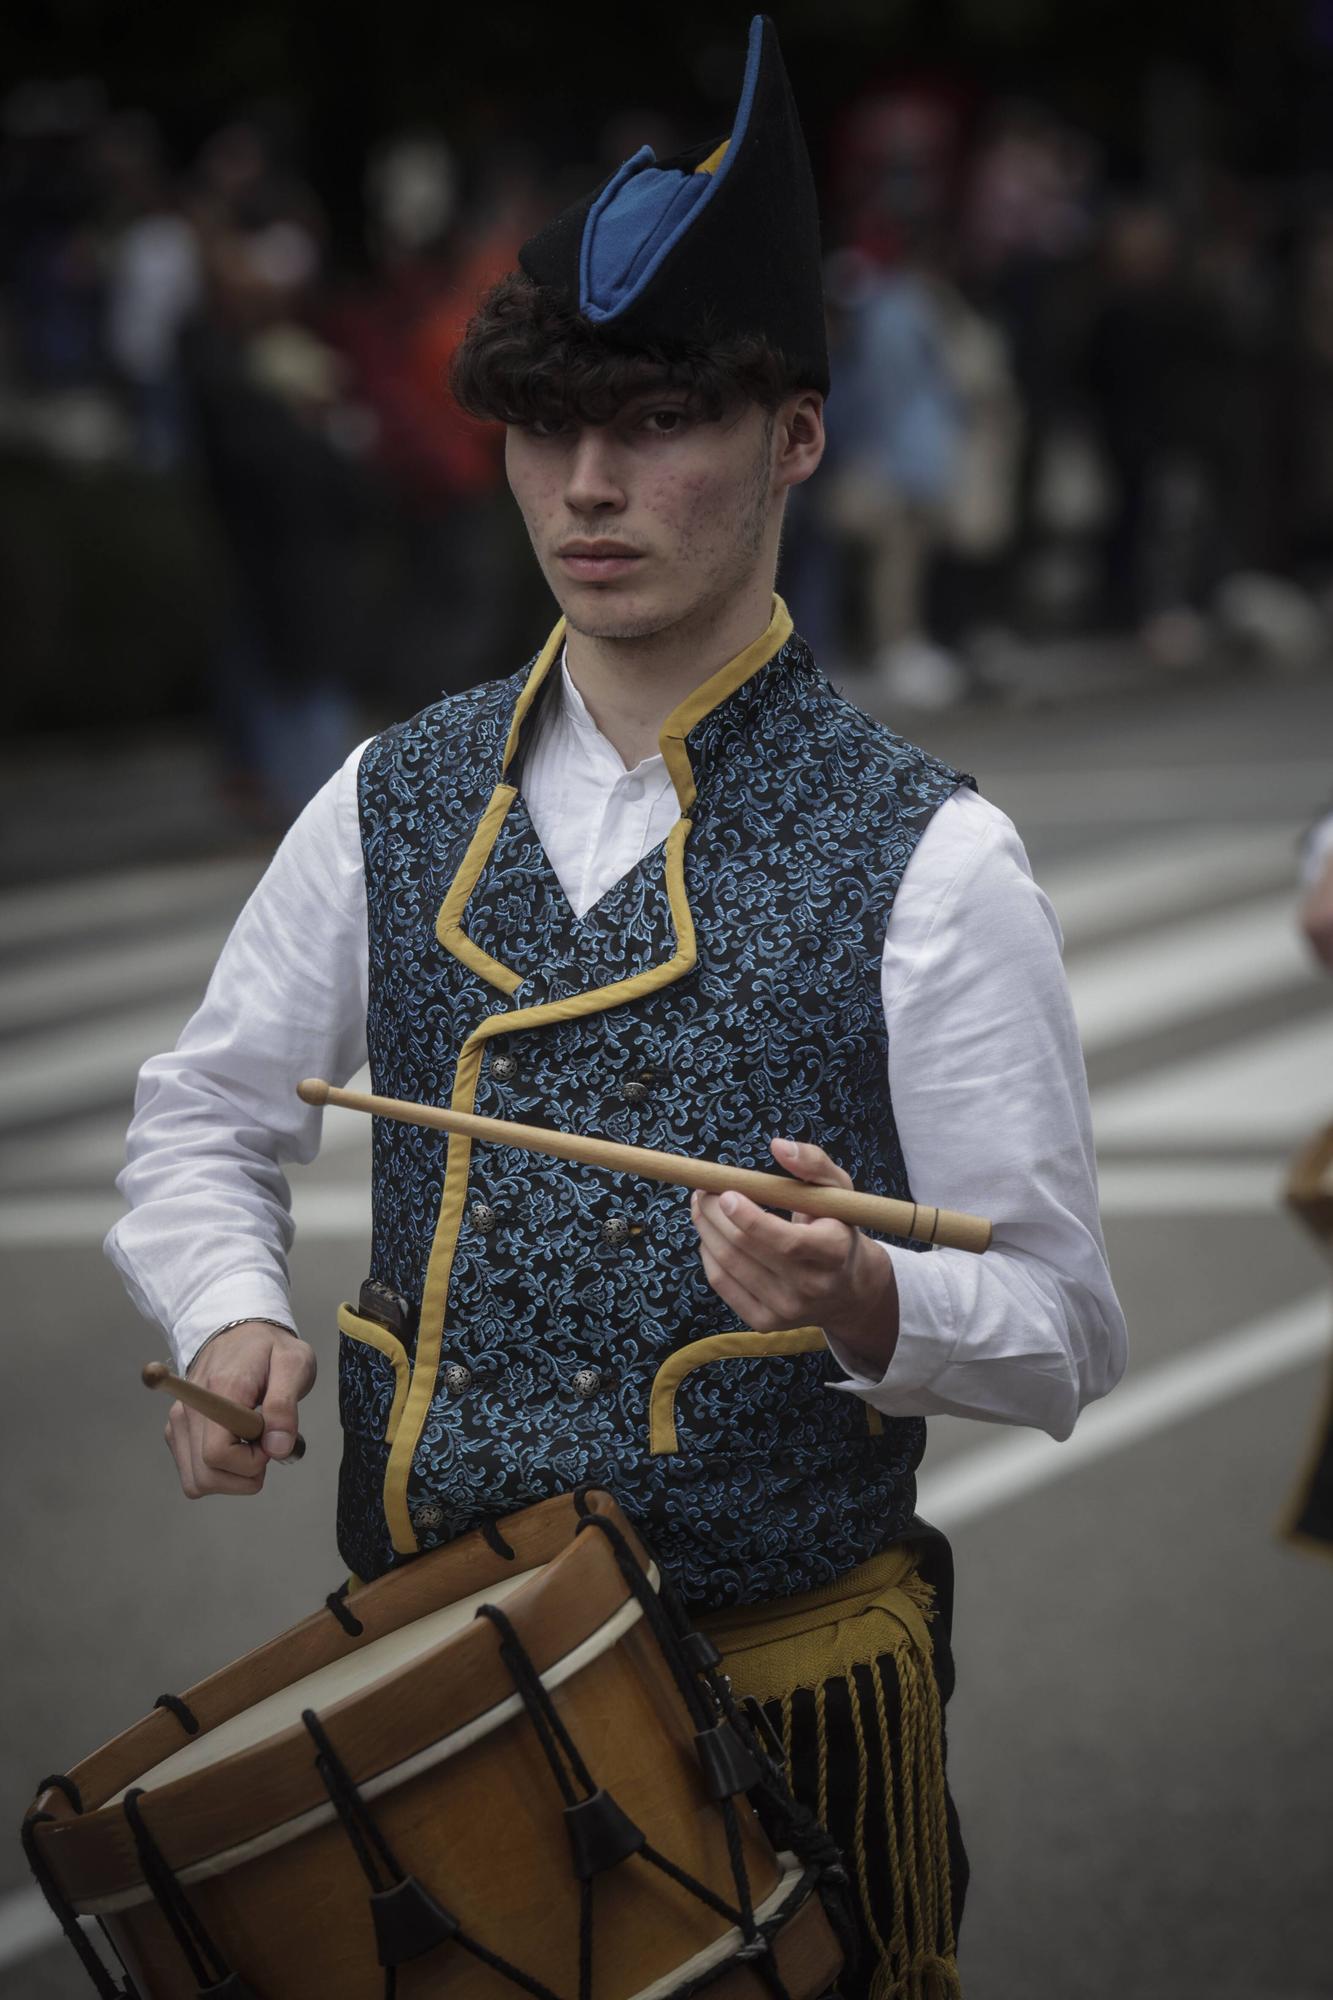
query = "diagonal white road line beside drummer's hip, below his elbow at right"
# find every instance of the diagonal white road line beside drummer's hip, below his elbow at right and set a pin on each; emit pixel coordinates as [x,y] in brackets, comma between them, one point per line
[1172,1393]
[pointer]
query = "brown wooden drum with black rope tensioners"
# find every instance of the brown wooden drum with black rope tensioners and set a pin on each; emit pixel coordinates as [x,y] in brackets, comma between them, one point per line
[501,1769]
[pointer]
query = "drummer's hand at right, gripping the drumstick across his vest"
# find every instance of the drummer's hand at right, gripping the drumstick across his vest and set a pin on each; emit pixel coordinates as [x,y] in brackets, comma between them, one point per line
[812,1271]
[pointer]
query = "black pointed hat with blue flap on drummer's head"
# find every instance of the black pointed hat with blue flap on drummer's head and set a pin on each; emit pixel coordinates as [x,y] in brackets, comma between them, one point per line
[714,243]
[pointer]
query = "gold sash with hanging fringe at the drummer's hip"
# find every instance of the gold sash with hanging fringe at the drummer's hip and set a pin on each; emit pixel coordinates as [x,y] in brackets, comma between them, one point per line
[858,1631]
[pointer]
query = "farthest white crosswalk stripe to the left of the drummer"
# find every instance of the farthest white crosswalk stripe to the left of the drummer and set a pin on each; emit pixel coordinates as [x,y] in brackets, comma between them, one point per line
[61,911]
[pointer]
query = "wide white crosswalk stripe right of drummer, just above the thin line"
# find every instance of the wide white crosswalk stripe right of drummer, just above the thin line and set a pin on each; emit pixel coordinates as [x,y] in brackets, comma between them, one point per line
[1268,1091]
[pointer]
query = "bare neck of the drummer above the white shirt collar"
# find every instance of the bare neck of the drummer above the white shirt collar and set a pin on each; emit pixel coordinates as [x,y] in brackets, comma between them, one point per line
[631,685]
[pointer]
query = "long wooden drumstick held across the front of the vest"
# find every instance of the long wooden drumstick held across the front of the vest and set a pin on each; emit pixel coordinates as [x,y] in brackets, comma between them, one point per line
[772,1191]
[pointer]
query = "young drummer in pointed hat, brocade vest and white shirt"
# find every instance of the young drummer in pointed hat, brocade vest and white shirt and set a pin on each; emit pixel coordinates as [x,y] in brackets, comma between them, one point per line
[668,887]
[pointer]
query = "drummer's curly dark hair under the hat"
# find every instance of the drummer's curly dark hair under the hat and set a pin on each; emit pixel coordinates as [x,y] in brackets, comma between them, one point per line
[529,359]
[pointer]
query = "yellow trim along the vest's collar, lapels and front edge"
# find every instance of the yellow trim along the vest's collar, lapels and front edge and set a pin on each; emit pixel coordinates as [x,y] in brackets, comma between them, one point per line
[595,1001]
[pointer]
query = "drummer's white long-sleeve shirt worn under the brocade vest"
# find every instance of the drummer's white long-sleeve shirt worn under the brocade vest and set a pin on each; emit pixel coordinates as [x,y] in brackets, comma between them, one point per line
[986,1077]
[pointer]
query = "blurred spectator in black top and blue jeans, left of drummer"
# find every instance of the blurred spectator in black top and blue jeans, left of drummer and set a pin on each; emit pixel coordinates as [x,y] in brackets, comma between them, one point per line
[291,495]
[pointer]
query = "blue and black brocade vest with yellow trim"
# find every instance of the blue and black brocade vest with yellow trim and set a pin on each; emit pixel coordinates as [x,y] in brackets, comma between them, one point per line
[722,993]
